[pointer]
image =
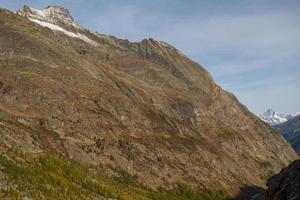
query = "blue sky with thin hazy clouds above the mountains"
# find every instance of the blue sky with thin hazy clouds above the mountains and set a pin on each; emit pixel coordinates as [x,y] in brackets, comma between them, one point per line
[251,47]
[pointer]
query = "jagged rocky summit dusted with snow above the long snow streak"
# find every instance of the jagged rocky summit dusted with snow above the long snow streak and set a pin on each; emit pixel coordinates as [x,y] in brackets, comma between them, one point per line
[57,15]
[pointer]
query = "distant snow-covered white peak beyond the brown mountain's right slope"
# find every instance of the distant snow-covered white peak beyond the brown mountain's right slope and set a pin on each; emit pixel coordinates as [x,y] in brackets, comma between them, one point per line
[273,118]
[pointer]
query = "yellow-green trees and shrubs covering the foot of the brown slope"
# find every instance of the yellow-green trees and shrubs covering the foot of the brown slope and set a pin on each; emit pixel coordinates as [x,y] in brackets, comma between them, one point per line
[52,177]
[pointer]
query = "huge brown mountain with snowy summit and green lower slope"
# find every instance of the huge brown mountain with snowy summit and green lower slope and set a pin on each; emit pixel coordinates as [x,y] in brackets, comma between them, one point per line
[90,116]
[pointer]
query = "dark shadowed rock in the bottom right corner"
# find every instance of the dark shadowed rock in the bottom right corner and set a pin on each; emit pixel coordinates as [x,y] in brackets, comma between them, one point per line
[286,184]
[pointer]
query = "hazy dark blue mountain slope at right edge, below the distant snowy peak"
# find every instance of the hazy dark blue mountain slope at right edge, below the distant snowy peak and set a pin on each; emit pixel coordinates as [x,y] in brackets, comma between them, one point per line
[291,131]
